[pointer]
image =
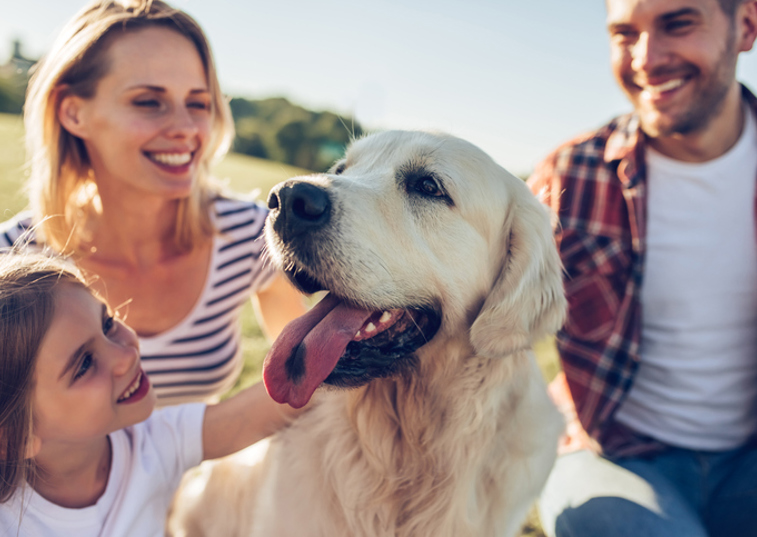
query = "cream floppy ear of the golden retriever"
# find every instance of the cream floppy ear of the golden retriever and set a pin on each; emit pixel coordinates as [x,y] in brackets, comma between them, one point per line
[527,300]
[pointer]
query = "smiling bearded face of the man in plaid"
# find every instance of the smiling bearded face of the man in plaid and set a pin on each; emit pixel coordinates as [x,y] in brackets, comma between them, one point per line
[674,59]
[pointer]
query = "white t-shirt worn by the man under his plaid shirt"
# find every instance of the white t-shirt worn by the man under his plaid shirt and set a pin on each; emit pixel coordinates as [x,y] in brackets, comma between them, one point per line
[696,386]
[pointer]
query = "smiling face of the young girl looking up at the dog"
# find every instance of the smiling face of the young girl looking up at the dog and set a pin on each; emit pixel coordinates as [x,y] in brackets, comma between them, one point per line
[88,379]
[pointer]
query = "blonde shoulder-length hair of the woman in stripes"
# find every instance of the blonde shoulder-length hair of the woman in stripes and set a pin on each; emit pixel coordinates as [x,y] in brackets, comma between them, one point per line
[61,182]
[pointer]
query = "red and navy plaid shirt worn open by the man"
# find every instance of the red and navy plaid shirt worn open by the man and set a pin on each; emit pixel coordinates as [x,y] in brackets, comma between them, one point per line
[596,184]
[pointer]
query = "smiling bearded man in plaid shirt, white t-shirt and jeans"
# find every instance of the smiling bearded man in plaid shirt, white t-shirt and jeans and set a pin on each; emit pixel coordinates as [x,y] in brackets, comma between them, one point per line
[657,235]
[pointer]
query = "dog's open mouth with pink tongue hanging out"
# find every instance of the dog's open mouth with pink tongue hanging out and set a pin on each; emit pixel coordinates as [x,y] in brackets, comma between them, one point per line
[343,345]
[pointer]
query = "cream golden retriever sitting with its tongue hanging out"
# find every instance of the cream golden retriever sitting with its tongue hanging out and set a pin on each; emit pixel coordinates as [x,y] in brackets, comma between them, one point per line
[441,272]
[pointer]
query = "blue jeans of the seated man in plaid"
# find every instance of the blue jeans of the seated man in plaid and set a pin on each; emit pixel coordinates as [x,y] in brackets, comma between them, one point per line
[677,493]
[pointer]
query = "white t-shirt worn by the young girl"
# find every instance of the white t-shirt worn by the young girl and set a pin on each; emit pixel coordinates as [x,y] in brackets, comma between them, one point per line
[148,462]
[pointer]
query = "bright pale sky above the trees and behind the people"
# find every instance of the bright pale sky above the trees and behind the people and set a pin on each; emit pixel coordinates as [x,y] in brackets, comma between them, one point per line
[515,77]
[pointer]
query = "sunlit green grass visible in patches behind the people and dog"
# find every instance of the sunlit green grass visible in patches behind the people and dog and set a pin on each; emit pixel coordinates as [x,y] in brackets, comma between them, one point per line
[242,174]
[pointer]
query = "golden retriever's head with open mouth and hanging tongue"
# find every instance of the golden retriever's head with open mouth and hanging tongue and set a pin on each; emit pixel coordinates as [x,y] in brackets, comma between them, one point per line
[411,233]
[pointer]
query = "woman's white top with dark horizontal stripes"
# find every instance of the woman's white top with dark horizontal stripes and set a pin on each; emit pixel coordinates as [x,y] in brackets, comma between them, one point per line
[200,358]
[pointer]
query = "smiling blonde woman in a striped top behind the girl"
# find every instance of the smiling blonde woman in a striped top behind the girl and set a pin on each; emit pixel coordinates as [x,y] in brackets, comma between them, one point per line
[124,117]
